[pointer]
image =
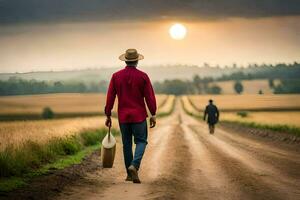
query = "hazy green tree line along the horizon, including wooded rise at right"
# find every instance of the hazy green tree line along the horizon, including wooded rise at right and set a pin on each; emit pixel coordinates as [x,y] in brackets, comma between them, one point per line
[287,74]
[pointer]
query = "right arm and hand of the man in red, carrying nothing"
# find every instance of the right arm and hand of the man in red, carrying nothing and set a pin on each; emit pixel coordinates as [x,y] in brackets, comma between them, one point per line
[150,101]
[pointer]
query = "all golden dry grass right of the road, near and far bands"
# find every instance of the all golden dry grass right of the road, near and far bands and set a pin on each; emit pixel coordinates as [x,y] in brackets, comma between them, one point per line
[260,109]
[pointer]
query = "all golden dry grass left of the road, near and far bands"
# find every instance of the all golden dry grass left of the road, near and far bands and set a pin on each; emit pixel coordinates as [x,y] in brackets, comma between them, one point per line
[17,132]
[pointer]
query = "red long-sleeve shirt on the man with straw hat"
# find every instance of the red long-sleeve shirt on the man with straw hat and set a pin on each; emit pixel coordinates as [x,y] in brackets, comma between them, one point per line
[133,87]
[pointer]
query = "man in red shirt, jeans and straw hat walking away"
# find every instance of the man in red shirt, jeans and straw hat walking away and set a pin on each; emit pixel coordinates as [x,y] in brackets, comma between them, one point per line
[133,88]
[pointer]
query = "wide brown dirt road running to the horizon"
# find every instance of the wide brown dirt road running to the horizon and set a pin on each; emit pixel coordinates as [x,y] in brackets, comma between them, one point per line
[183,161]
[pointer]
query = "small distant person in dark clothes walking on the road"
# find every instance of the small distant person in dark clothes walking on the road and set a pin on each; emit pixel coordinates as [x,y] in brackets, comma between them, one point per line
[212,112]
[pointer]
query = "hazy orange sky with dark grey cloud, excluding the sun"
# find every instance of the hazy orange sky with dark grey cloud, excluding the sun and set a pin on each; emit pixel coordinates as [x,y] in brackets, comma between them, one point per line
[73,34]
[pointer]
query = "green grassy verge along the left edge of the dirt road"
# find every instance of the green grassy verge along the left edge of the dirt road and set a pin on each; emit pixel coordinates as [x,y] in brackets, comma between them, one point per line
[18,166]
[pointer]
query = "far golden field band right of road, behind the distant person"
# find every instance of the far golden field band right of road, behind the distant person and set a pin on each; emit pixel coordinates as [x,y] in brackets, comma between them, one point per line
[249,102]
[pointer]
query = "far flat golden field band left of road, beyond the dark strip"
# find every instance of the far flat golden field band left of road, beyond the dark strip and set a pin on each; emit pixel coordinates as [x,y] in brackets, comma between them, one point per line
[59,103]
